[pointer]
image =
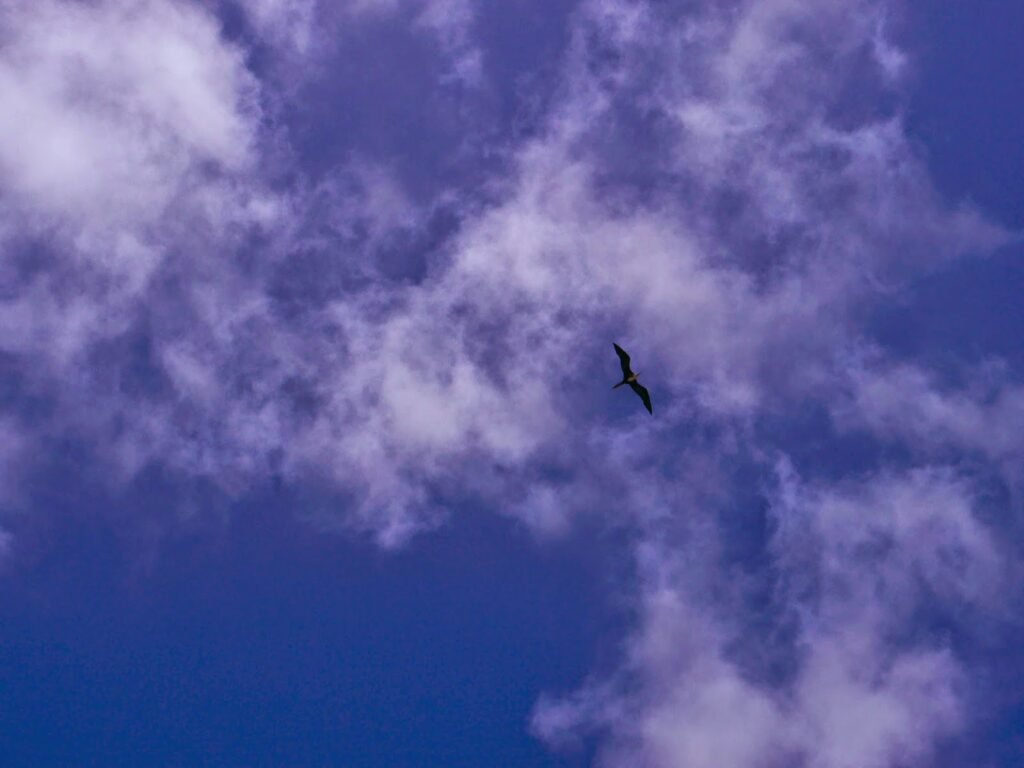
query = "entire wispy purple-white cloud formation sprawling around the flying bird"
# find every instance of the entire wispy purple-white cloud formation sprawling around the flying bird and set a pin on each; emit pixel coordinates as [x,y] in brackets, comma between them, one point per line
[727,190]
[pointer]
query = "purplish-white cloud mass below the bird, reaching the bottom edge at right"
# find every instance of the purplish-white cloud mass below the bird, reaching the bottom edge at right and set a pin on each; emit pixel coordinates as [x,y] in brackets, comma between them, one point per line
[865,688]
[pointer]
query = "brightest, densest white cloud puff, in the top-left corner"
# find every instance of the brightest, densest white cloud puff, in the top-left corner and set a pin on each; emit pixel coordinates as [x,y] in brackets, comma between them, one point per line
[112,107]
